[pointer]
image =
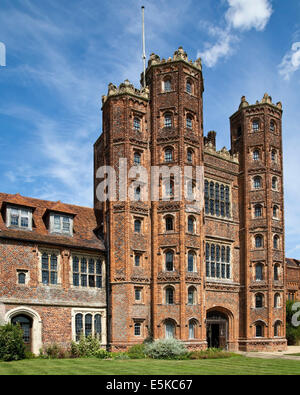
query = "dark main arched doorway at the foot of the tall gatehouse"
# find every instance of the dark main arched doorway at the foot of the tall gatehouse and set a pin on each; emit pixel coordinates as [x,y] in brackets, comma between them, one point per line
[217,329]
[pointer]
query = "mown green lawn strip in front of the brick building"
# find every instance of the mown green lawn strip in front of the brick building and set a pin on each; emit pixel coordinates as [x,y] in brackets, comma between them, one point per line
[228,366]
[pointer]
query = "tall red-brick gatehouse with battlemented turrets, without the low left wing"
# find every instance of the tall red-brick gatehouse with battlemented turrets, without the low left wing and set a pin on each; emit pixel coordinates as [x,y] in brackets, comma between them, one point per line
[214,275]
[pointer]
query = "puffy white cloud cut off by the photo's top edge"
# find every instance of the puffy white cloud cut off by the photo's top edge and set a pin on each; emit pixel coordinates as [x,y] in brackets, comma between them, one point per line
[248,14]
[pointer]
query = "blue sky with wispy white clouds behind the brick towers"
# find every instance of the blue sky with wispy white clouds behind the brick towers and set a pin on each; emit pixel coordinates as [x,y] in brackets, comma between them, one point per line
[62,54]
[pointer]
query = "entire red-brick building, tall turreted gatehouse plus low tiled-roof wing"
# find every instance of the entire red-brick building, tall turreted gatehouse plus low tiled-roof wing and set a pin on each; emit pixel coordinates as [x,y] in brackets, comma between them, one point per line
[211,275]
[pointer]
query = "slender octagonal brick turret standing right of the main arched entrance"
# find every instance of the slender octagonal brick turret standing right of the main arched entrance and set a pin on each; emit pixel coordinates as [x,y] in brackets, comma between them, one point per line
[256,137]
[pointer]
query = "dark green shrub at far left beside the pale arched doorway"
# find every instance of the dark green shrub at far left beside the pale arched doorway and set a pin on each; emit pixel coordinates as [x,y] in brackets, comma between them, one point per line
[12,347]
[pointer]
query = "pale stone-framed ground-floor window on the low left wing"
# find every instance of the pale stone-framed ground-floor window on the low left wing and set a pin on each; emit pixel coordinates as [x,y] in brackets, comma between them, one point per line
[88,324]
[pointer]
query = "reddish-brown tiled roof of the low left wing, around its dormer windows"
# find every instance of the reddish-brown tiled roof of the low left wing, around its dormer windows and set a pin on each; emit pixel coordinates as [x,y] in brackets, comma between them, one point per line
[84,223]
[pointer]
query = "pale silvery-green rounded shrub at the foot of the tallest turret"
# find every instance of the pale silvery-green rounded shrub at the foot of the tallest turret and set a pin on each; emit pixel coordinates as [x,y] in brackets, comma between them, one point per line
[166,349]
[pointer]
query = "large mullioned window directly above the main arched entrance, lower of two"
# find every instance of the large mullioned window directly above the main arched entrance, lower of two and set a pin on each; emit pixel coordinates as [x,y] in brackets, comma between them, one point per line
[218,261]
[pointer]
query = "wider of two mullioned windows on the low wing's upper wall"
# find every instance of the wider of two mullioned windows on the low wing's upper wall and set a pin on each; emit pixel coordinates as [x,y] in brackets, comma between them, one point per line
[87,272]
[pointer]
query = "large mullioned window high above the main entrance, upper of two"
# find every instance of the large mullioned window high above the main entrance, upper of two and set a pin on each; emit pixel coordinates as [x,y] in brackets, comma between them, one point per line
[217,199]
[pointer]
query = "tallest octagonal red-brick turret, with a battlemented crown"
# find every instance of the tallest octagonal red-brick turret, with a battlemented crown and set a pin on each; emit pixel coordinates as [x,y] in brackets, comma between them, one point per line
[176,88]
